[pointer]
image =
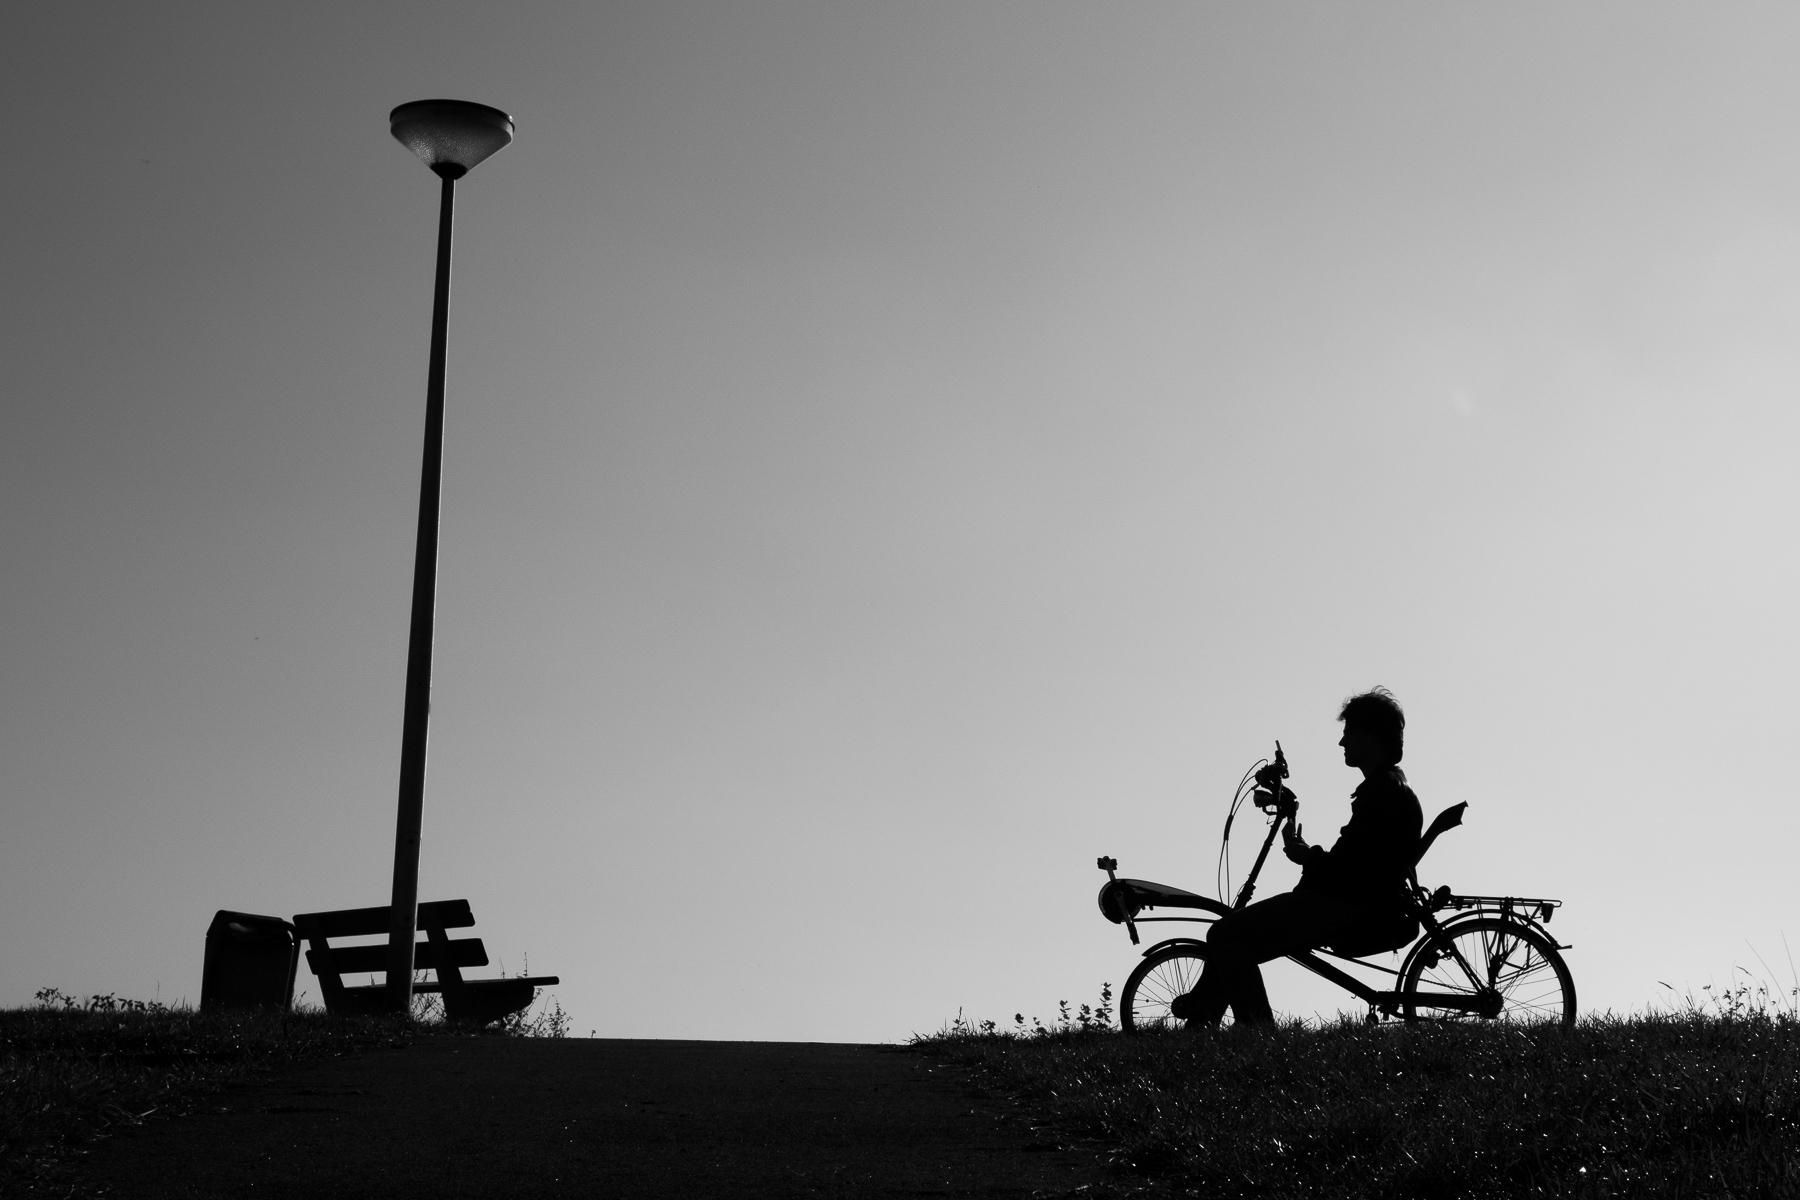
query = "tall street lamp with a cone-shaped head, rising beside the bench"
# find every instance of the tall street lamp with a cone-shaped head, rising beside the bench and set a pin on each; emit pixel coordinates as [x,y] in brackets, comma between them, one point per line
[453,138]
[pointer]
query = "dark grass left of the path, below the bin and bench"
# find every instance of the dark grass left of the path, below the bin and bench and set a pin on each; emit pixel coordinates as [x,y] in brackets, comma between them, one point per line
[75,1073]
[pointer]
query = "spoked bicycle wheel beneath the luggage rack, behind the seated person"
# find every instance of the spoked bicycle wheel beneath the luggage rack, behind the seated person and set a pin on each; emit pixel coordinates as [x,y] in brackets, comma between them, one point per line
[1516,976]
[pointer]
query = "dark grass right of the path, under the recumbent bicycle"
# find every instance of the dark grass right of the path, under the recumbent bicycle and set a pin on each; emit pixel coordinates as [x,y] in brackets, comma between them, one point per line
[1696,1102]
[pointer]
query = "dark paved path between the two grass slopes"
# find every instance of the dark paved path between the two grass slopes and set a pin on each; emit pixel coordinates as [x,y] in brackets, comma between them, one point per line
[591,1118]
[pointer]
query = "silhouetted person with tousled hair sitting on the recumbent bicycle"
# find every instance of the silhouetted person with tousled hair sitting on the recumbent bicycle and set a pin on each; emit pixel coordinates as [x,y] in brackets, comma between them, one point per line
[1354,882]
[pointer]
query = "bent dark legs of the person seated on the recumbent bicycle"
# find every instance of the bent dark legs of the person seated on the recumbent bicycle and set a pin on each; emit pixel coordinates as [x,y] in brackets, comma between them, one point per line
[1248,938]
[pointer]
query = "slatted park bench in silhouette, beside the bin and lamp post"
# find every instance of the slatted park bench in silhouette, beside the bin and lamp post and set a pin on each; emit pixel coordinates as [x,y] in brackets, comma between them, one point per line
[476,1001]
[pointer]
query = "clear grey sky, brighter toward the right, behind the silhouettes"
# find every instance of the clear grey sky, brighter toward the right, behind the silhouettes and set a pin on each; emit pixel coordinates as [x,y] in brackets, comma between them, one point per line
[895,456]
